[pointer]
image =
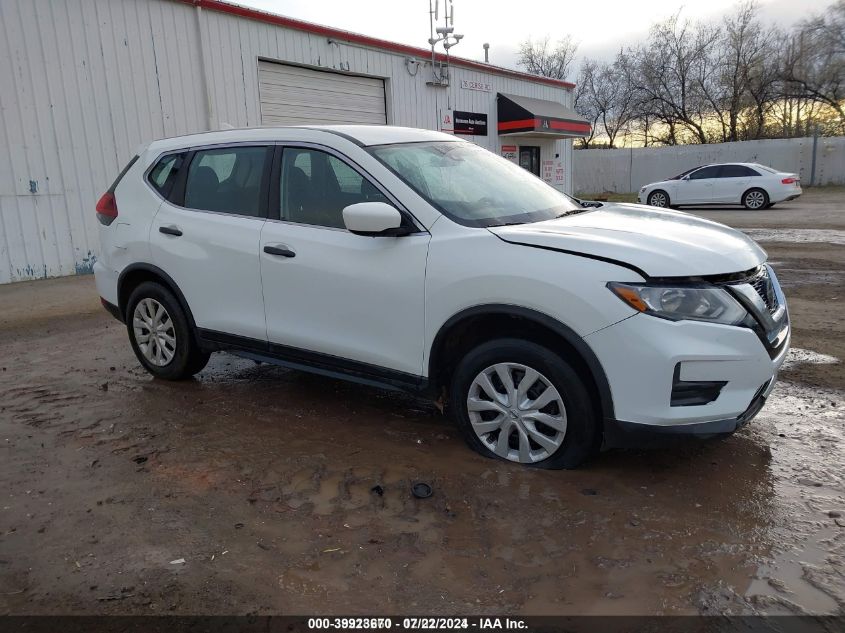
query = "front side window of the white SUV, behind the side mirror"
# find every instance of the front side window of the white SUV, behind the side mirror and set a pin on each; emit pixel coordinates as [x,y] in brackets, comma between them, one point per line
[316,186]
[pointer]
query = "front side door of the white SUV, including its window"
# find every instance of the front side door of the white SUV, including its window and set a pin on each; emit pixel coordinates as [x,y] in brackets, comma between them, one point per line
[331,296]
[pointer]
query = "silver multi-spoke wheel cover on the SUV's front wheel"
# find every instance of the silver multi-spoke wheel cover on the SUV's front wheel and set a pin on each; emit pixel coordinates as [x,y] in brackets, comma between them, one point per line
[516,412]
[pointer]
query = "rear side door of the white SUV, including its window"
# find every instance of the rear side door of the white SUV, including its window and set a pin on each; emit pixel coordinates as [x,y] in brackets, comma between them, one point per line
[206,237]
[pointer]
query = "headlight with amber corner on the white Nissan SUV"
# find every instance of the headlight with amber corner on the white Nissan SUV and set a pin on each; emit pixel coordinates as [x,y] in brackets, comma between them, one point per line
[682,302]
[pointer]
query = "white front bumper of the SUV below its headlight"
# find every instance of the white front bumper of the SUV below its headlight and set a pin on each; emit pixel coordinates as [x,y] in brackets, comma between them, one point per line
[640,356]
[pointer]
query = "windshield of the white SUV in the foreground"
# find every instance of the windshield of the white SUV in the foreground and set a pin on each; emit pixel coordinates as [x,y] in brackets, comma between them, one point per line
[473,186]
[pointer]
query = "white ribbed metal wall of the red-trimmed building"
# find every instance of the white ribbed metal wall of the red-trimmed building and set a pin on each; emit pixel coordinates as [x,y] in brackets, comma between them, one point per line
[84,82]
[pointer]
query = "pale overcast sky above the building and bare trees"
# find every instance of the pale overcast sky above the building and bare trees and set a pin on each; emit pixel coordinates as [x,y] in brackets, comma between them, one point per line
[601,26]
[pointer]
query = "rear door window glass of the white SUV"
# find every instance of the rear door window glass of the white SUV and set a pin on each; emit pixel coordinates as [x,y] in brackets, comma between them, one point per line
[227,180]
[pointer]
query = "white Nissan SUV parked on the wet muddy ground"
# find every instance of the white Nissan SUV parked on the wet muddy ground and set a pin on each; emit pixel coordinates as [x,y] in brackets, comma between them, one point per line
[414,260]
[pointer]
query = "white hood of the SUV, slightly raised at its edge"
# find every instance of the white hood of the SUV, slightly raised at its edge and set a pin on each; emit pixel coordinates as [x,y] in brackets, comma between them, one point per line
[659,243]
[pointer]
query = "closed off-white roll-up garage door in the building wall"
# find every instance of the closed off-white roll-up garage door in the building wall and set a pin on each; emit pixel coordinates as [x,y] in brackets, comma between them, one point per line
[291,95]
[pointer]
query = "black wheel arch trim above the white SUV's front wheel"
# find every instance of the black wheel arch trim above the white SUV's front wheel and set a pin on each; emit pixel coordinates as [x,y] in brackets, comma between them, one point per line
[569,335]
